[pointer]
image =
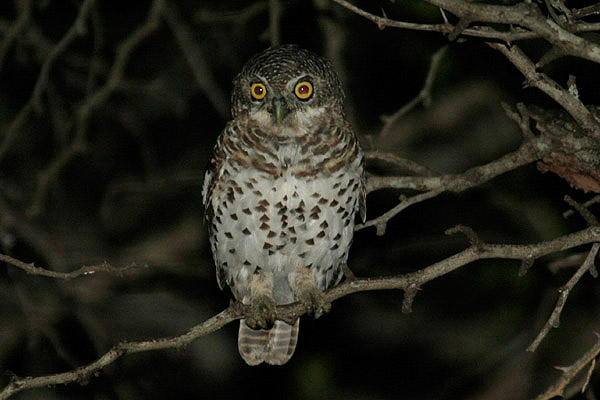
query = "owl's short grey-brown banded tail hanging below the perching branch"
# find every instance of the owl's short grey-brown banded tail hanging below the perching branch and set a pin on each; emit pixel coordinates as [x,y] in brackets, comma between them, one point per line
[274,346]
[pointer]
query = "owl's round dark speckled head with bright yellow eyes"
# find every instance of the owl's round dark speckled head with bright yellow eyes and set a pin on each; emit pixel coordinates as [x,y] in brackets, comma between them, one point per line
[285,85]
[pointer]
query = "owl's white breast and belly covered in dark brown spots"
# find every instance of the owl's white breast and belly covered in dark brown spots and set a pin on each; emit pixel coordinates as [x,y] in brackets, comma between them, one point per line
[285,222]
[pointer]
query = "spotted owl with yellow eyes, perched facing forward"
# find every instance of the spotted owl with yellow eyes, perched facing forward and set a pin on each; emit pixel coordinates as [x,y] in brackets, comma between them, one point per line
[284,184]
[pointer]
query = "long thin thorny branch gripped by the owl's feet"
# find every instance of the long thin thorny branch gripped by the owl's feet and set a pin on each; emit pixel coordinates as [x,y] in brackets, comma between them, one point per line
[410,283]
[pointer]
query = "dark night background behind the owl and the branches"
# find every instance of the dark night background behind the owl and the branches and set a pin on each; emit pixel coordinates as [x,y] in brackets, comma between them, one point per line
[133,196]
